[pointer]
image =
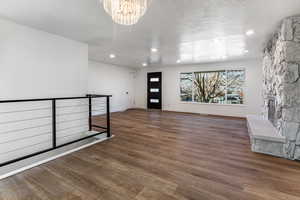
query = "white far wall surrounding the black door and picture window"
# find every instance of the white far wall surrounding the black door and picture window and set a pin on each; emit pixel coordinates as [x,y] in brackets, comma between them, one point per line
[171,99]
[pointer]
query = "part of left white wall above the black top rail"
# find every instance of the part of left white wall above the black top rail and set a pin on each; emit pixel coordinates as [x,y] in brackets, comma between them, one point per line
[37,64]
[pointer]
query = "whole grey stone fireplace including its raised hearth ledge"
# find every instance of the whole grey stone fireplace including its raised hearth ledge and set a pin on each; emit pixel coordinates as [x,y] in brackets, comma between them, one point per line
[281,89]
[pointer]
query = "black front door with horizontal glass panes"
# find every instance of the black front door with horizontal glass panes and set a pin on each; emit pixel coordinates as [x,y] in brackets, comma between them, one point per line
[154,90]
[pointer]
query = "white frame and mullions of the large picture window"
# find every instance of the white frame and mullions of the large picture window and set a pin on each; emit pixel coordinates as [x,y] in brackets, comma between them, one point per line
[215,70]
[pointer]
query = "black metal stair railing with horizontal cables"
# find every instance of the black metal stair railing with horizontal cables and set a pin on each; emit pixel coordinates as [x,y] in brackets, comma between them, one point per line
[30,127]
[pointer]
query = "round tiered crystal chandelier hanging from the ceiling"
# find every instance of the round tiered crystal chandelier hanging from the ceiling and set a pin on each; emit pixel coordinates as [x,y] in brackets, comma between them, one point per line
[126,12]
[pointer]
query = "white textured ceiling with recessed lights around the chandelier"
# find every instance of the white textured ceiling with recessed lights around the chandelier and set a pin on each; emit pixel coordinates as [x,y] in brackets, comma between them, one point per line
[194,31]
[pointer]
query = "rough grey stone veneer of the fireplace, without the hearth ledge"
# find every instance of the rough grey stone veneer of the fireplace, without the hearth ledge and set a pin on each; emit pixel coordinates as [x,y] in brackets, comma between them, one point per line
[281,81]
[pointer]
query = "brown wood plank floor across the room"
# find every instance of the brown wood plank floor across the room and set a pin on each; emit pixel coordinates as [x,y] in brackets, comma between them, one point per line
[162,156]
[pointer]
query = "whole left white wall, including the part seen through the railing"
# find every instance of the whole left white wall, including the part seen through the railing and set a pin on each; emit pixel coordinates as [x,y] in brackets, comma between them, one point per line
[36,64]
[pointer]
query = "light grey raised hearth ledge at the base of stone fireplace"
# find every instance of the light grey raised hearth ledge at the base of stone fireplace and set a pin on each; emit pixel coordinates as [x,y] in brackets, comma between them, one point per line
[264,137]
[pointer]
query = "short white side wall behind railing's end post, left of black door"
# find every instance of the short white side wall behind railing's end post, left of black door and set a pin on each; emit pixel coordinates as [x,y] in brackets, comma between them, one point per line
[112,80]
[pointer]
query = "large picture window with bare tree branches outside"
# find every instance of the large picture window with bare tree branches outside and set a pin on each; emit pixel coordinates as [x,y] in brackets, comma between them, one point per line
[219,87]
